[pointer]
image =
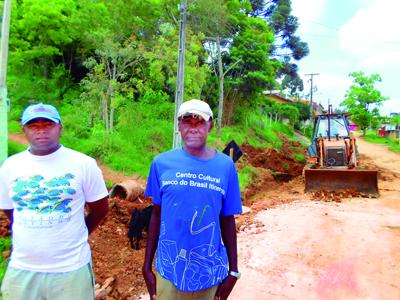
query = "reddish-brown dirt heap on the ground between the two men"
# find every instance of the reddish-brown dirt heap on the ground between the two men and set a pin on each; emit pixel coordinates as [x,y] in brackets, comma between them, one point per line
[115,263]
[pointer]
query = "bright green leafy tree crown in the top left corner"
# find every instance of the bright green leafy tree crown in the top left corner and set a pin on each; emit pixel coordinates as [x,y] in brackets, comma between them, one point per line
[39,31]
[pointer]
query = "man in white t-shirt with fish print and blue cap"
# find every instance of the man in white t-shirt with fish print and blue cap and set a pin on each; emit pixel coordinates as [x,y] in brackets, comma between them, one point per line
[43,191]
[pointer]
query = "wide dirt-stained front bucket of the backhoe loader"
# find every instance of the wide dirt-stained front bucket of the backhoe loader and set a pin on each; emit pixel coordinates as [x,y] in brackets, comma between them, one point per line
[364,181]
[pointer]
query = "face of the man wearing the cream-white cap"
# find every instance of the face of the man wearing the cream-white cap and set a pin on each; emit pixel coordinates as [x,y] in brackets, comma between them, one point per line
[194,130]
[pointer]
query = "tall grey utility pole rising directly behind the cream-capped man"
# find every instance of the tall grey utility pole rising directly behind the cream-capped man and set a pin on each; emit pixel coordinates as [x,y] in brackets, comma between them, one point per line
[181,72]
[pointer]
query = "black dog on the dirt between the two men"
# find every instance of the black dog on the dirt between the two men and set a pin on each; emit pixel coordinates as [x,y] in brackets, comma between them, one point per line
[140,220]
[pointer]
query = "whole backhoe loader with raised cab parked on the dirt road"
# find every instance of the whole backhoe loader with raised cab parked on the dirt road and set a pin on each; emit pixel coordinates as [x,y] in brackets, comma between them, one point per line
[332,163]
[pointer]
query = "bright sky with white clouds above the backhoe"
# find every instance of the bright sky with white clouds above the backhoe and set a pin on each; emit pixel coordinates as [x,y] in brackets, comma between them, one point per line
[345,36]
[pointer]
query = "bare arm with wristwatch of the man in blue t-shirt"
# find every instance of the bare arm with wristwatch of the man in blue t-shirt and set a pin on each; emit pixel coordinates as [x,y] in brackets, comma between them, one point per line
[228,233]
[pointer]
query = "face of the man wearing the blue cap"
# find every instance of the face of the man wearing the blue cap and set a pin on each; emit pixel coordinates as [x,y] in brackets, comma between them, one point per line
[43,135]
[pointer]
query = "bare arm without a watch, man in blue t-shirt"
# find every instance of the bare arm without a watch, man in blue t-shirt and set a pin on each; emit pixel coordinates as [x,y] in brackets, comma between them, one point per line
[152,241]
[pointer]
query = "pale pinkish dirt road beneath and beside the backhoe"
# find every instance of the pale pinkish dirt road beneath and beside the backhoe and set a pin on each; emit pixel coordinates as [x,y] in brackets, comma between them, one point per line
[327,250]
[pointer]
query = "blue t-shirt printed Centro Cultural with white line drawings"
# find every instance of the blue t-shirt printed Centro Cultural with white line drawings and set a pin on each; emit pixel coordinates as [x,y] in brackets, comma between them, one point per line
[193,193]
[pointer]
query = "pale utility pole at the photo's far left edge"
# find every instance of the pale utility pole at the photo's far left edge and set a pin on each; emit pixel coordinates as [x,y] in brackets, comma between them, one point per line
[5,29]
